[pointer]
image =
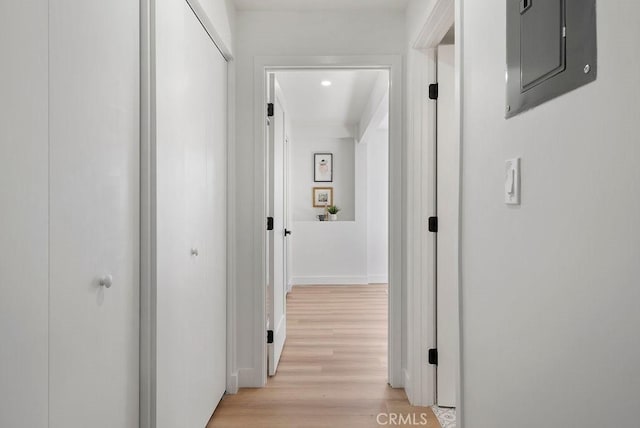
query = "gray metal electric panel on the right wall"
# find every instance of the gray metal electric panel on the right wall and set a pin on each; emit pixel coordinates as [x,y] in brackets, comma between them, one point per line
[551,50]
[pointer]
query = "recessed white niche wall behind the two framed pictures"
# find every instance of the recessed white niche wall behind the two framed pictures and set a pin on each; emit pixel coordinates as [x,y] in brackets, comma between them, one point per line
[302,184]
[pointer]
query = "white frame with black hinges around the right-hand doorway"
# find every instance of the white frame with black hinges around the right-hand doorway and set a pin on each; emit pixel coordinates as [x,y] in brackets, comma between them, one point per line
[422,160]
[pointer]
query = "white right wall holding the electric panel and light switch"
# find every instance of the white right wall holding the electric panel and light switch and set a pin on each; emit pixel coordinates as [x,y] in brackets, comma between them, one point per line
[551,288]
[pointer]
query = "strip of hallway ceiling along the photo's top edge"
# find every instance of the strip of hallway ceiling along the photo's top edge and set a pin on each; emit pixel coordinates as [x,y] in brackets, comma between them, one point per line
[320,4]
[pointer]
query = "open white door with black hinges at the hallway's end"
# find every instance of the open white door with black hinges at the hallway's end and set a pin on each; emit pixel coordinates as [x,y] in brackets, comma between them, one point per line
[276,285]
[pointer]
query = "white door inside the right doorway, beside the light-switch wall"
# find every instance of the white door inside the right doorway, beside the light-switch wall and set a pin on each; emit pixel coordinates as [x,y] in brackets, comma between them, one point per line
[447,237]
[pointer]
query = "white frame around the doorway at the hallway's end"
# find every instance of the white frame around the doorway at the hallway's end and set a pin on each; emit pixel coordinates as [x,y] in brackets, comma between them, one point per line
[393,63]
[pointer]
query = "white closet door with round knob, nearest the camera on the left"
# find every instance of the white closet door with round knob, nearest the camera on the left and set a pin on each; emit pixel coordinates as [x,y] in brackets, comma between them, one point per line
[94,146]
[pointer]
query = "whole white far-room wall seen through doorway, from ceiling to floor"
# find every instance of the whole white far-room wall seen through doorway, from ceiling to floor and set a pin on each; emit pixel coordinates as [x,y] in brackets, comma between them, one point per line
[355,252]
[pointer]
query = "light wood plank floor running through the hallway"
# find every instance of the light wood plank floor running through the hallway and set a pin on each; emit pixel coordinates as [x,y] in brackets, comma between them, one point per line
[333,370]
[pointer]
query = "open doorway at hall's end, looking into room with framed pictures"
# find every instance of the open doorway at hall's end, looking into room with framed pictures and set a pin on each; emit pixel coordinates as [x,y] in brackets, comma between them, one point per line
[328,210]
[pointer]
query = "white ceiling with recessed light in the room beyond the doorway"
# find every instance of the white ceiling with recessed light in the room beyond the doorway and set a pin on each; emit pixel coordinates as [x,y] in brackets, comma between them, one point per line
[342,103]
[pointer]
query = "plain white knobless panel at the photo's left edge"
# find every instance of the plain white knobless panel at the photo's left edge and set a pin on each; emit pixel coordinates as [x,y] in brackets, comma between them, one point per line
[24,279]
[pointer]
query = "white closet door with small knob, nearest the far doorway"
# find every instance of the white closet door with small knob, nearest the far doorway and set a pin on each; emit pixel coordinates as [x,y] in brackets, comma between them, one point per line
[191,102]
